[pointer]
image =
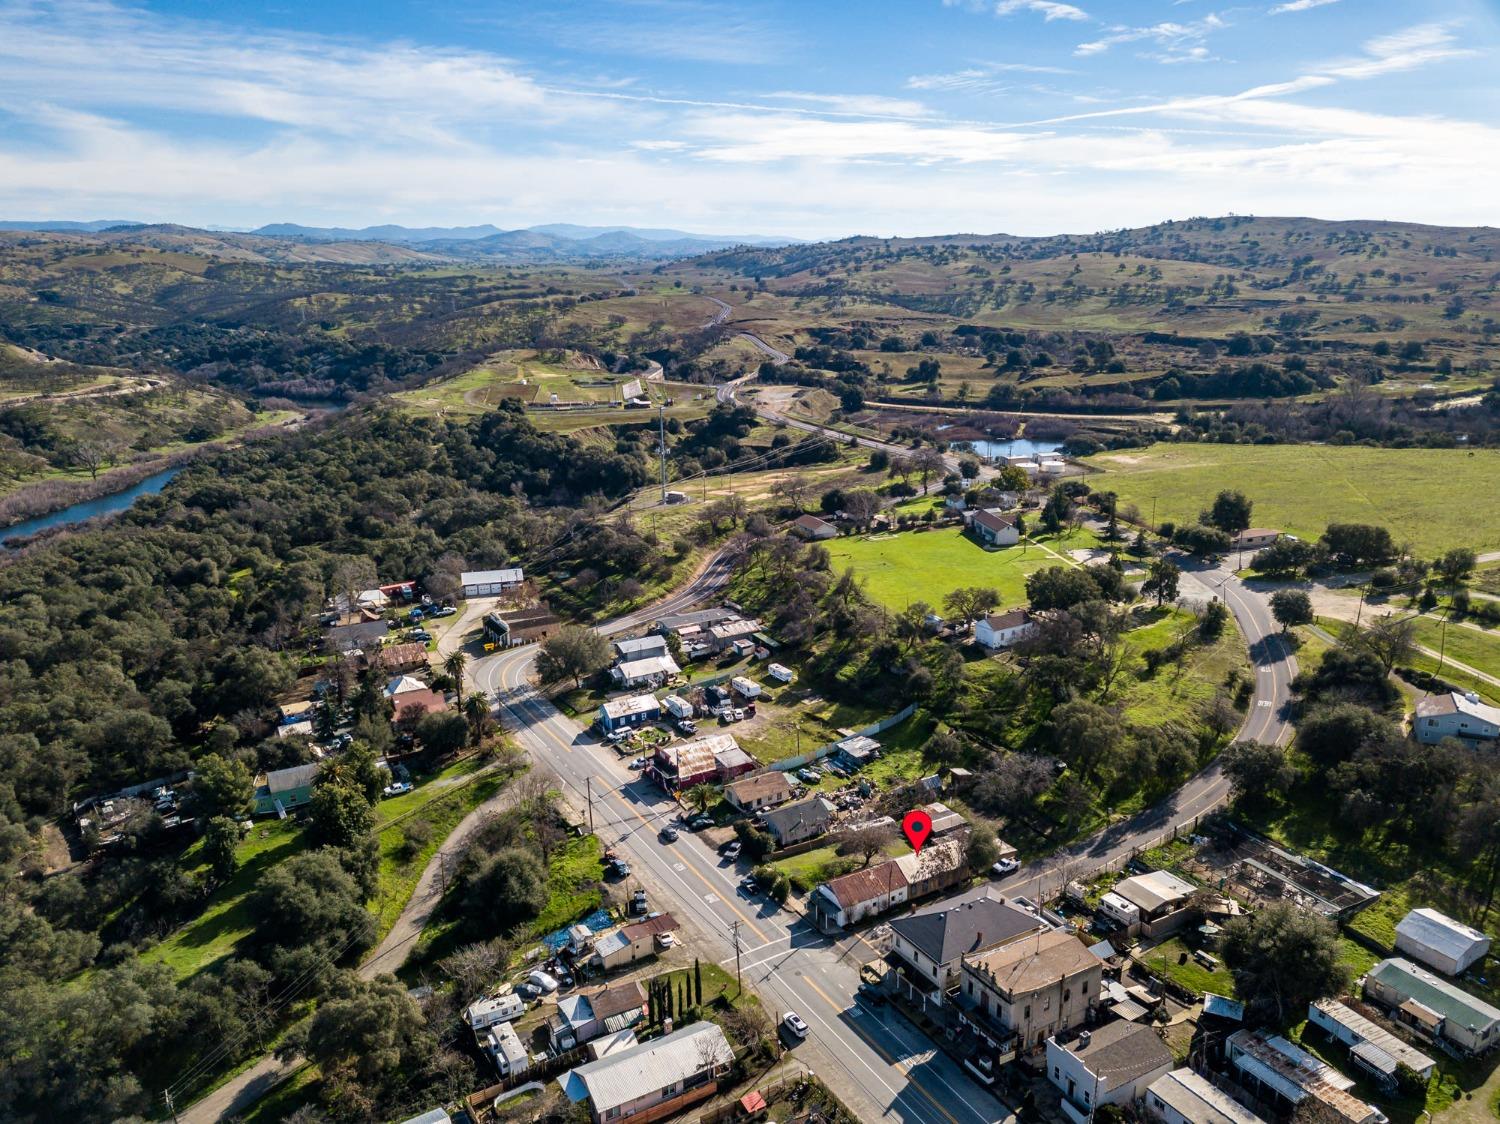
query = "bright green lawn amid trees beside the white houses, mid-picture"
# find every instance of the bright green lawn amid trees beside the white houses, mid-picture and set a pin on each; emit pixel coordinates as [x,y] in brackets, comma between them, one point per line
[899,570]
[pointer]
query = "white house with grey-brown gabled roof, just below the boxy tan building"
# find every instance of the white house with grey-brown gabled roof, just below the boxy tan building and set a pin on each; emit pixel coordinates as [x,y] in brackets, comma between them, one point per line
[1112,1065]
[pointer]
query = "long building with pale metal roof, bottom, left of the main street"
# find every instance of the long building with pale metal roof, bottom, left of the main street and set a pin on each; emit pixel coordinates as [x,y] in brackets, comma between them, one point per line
[652,1080]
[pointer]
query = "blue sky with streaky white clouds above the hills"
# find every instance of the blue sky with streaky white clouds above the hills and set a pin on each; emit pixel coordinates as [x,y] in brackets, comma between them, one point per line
[809,119]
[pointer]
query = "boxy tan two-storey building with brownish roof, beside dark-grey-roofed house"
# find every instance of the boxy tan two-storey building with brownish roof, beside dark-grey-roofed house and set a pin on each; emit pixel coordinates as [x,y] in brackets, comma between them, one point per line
[1031,990]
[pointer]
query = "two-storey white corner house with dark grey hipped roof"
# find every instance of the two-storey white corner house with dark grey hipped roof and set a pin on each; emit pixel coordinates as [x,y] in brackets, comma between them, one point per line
[931,943]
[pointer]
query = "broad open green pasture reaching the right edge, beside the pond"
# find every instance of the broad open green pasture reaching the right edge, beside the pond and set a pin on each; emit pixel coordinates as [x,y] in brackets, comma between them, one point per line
[1424,496]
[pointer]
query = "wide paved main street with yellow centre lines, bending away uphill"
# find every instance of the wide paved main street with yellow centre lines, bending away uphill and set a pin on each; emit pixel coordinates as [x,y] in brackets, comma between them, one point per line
[881,1065]
